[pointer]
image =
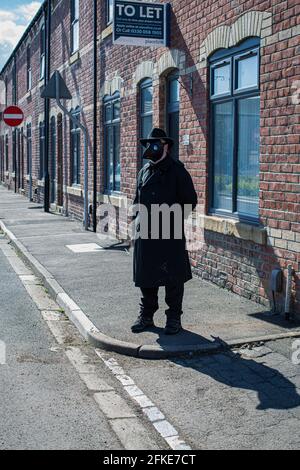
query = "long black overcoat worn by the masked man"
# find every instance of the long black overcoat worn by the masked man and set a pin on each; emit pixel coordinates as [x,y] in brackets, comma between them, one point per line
[160,261]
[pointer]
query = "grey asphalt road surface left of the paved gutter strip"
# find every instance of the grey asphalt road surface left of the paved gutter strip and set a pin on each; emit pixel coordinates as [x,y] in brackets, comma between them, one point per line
[44,404]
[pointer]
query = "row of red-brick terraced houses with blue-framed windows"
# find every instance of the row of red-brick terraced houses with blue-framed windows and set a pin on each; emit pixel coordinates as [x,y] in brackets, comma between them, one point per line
[227,90]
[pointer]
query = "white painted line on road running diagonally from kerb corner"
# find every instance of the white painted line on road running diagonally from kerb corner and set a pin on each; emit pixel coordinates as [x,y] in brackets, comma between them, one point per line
[154,415]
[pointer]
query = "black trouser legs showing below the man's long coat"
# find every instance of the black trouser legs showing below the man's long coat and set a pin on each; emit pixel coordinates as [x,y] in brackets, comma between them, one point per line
[174,299]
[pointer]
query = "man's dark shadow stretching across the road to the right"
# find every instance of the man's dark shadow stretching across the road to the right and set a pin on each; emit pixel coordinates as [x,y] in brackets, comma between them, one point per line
[274,390]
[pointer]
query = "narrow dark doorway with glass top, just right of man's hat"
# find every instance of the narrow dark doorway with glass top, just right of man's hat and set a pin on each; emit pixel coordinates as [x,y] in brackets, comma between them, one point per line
[173,110]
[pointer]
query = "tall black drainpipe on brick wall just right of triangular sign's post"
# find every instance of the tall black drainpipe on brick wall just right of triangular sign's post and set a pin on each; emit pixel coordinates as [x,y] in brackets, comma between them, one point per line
[95,118]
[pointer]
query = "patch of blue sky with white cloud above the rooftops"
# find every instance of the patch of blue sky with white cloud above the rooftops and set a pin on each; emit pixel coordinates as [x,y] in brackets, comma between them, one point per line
[15,15]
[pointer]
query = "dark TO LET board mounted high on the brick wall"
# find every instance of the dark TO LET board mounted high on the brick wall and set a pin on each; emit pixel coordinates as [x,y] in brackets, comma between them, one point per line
[141,24]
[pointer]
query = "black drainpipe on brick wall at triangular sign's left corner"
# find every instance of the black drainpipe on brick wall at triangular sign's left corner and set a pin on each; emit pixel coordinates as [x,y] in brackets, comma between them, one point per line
[47,103]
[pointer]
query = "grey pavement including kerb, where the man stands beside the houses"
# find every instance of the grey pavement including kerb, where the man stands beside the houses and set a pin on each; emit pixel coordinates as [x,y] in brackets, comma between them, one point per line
[96,290]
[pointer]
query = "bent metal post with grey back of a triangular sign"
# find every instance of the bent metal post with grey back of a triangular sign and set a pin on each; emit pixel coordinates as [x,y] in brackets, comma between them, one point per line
[58,90]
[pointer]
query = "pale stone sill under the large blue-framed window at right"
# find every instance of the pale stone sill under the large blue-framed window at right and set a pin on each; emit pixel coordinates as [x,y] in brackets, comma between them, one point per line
[236,229]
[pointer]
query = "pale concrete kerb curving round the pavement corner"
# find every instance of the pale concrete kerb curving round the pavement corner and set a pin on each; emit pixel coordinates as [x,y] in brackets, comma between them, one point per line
[89,331]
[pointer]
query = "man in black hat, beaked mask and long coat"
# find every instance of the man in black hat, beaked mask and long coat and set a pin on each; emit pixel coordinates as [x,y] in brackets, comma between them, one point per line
[165,197]
